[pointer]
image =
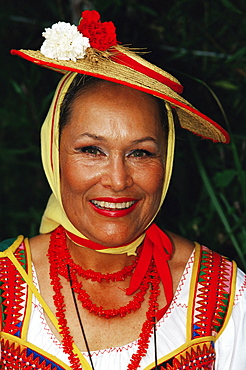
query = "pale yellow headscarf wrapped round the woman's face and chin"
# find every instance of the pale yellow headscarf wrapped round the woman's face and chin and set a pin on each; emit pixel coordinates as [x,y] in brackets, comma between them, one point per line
[54,214]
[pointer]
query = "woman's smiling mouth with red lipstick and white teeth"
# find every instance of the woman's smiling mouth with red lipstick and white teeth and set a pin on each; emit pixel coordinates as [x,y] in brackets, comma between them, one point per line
[114,207]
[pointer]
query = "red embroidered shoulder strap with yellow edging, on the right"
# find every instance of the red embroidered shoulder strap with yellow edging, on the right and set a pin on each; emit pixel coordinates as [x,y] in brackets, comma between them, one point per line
[212,293]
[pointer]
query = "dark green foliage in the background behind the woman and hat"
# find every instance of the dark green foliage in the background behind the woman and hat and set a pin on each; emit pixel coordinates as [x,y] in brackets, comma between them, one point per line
[203,44]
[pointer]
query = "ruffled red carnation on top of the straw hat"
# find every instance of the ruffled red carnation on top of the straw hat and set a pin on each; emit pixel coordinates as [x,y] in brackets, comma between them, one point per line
[101,34]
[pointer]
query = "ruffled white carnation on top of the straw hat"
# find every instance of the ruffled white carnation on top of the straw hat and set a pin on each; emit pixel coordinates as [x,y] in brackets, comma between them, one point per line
[64,42]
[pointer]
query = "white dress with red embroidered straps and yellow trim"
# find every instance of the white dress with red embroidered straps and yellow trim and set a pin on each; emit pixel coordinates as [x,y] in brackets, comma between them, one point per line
[204,327]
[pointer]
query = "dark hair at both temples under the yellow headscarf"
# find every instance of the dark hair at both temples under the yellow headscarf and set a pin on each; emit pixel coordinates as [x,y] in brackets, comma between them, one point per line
[82,83]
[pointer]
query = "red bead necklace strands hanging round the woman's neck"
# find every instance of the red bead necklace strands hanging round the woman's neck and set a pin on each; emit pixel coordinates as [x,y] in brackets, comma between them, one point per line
[59,259]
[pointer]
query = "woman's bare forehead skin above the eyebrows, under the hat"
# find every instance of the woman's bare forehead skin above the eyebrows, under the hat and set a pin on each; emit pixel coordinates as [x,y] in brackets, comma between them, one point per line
[103,97]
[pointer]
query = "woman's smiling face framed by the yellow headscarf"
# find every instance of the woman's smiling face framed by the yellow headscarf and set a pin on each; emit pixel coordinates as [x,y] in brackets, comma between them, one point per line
[111,163]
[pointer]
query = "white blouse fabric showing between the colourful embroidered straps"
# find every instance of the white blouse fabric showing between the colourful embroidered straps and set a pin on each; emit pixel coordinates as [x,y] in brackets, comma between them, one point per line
[171,332]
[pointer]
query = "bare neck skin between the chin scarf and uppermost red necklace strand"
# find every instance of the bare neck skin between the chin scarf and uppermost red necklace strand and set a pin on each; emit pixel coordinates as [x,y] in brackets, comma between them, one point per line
[96,261]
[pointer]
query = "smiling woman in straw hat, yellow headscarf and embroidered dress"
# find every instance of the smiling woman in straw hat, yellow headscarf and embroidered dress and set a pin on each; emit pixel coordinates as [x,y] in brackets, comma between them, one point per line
[95,288]
